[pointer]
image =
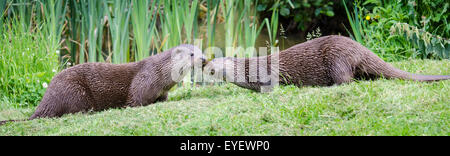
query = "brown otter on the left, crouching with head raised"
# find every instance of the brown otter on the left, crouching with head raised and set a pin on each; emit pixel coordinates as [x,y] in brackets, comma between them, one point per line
[100,86]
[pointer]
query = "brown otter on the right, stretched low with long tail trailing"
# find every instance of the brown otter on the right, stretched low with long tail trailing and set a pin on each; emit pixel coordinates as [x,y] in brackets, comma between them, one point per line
[324,61]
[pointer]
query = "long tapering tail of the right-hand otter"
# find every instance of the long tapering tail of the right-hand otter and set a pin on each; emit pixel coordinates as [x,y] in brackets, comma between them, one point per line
[374,65]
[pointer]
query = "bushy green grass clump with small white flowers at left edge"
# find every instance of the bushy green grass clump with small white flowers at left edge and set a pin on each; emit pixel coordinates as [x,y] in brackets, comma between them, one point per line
[26,64]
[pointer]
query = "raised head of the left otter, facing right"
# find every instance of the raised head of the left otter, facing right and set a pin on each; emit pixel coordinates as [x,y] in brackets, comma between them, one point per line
[184,59]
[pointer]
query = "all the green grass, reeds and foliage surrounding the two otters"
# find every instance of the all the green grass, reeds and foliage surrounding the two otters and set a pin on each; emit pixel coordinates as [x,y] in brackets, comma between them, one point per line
[39,38]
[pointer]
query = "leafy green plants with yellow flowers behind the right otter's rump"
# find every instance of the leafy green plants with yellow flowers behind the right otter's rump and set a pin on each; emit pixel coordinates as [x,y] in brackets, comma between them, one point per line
[376,24]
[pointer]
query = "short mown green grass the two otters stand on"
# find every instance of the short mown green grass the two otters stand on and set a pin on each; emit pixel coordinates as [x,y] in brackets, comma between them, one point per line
[382,107]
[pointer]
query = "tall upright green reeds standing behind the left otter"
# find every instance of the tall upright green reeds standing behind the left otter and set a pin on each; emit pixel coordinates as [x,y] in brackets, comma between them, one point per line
[102,30]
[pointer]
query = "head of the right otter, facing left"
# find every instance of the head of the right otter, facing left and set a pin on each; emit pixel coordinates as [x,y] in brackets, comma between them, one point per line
[221,68]
